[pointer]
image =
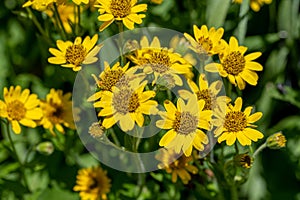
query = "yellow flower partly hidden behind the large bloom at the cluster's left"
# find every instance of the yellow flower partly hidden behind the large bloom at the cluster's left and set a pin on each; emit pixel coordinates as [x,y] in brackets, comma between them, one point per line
[113,76]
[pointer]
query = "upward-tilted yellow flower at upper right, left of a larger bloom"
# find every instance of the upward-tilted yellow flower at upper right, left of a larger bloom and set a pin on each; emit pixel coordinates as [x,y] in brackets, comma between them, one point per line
[206,42]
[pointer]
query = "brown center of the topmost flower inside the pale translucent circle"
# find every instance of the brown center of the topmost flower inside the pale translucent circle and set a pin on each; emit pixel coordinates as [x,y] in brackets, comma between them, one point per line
[160,61]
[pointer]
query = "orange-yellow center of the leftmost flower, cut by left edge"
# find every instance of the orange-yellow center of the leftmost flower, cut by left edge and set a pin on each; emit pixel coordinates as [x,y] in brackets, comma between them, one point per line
[16,110]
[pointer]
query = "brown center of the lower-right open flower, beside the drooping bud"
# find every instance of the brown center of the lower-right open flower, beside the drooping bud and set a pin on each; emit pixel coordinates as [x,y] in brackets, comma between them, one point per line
[235,121]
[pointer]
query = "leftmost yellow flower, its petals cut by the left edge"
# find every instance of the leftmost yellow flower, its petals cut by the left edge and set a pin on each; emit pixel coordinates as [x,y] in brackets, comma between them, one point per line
[20,107]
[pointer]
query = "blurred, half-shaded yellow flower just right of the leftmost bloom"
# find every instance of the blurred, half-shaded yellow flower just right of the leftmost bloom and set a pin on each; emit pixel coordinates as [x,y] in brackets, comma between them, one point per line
[57,109]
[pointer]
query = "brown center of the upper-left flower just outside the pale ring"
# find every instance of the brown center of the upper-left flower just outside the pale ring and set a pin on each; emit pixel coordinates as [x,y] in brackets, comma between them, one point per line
[75,54]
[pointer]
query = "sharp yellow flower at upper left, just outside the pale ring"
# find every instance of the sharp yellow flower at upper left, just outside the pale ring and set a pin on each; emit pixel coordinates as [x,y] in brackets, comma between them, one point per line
[73,55]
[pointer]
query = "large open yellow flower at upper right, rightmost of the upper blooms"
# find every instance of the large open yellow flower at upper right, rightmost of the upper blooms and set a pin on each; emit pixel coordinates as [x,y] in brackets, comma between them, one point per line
[237,67]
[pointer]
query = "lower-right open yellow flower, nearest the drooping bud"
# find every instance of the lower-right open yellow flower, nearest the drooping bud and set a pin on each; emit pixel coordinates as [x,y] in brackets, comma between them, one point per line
[234,124]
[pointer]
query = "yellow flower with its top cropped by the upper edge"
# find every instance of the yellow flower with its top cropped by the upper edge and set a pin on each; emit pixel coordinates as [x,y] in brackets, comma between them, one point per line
[120,10]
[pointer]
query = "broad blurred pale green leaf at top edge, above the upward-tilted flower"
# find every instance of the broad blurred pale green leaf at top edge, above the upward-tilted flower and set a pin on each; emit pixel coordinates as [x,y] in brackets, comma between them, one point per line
[216,12]
